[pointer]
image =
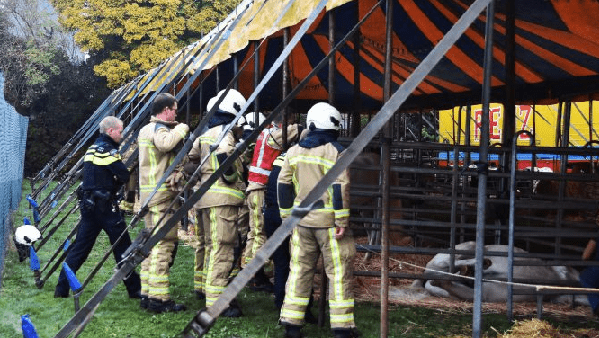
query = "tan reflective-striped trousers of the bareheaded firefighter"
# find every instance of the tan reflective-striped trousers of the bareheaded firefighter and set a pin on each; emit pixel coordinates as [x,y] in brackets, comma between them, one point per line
[155,268]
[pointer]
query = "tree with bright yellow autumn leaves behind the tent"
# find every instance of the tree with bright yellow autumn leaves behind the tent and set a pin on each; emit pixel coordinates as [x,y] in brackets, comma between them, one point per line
[130,37]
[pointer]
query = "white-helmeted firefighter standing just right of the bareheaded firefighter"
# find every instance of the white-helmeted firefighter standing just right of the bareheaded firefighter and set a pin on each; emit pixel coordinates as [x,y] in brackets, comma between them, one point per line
[220,204]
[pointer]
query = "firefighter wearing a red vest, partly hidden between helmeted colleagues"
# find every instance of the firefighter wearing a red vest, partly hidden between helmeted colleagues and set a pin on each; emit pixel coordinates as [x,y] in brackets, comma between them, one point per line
[268,146]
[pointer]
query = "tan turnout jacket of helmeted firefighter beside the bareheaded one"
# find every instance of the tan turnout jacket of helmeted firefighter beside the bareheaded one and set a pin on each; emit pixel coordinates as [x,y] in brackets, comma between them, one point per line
[221,192]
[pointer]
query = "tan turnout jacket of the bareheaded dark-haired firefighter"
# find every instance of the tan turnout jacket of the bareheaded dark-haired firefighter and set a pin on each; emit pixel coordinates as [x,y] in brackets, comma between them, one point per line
[157,141]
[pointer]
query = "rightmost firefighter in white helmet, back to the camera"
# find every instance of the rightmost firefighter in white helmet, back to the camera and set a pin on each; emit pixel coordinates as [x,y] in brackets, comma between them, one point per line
[323,231]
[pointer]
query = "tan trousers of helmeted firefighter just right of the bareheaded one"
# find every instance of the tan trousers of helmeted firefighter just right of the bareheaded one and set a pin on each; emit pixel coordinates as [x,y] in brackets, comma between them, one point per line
[220,236]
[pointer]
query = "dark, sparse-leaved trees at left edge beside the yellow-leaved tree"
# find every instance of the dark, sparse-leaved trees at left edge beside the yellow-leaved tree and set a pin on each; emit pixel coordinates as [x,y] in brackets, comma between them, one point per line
[44,79]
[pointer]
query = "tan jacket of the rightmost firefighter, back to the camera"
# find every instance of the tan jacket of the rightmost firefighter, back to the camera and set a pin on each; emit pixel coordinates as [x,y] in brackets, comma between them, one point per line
[301,170]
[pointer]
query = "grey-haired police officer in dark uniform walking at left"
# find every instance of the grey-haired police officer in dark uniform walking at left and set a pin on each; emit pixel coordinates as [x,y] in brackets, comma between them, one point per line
[103,175]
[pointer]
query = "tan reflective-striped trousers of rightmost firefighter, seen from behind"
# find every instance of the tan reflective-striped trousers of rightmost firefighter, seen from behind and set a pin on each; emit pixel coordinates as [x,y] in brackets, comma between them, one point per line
[338,256]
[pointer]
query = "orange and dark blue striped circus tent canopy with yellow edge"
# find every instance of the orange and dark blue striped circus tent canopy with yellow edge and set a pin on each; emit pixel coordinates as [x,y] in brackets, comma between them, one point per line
[556,52]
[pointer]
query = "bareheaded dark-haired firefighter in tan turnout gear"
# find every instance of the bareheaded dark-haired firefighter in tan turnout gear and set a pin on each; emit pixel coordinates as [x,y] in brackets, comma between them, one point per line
[157,141]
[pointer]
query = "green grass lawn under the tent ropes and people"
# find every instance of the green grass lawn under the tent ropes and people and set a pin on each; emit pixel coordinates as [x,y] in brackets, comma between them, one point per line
[118,316]
